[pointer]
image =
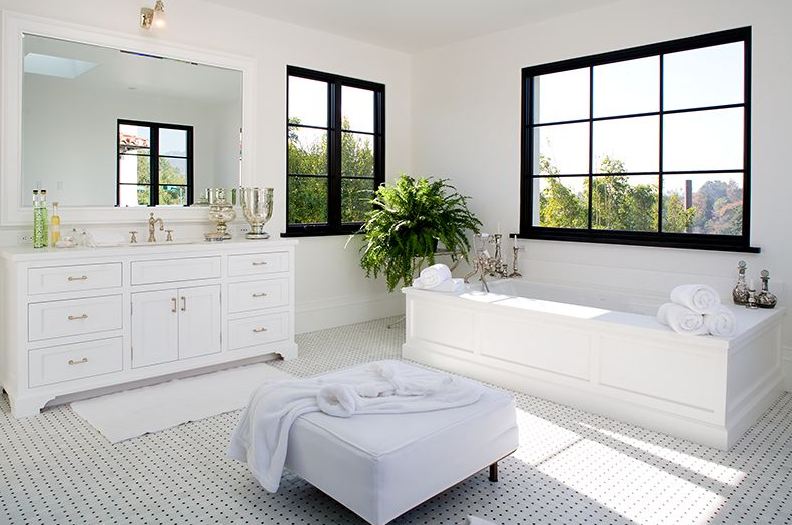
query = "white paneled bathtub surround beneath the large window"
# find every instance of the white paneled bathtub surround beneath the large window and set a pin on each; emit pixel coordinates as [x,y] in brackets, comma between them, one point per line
[588,350]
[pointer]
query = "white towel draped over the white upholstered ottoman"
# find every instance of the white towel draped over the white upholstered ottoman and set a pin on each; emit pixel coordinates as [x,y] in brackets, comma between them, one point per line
[385,387]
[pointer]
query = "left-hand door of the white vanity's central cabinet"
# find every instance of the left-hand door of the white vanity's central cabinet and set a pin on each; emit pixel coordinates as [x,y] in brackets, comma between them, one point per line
[155,327]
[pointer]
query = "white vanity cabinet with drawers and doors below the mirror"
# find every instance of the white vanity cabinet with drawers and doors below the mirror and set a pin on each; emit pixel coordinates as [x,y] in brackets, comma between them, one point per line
[75,320]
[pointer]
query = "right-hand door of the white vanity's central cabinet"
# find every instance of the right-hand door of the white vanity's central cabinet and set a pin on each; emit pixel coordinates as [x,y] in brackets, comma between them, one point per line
[199,321]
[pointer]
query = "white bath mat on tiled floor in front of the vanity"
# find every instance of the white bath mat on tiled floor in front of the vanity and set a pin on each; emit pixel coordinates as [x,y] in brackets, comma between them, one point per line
[132,413]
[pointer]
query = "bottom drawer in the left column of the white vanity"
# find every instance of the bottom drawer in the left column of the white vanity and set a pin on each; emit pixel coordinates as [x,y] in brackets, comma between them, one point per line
[66,362]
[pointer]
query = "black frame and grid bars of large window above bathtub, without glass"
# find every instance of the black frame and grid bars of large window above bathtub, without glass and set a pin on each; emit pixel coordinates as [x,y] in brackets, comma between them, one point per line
[659,238]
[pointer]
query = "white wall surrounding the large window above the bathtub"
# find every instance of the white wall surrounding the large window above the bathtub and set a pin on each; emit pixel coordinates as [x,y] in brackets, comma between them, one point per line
[466,125]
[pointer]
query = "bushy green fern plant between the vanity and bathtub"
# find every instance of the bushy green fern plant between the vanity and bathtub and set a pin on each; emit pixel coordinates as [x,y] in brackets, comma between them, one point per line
[407,222]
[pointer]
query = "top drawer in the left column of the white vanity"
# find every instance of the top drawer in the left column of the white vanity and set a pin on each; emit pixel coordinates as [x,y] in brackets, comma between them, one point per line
[73,278]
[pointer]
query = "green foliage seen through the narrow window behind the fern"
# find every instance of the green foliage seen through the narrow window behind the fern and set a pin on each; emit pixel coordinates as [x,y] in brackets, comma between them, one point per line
[308,195]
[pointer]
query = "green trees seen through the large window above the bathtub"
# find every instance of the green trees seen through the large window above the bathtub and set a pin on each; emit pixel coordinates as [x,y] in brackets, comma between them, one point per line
[616,204]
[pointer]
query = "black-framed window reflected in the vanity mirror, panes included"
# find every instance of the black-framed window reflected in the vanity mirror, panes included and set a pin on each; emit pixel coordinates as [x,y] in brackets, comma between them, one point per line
[155,164]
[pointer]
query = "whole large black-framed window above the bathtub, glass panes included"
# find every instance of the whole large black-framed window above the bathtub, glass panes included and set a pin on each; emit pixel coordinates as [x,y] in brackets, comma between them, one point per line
[649,145]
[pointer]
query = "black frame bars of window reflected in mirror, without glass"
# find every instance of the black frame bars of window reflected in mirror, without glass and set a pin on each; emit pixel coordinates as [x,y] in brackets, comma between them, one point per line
[154,128]
